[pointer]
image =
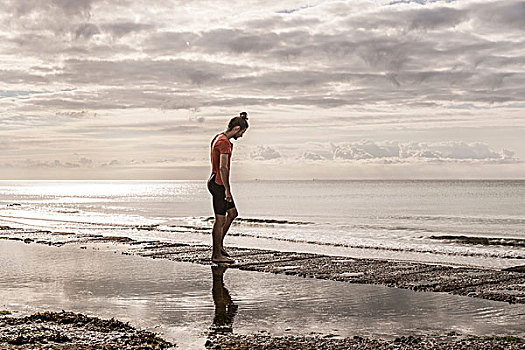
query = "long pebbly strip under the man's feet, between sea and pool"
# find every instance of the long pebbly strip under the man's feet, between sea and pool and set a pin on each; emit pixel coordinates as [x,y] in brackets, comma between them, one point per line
[506,285]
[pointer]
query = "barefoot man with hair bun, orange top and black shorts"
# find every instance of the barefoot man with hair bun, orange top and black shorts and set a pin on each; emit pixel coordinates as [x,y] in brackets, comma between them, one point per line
[219,184]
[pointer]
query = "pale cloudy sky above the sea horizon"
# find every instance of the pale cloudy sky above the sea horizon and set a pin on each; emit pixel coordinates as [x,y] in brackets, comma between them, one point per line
[136,89]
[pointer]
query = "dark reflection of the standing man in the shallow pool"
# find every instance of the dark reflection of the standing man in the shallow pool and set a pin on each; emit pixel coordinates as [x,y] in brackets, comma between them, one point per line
[225,309]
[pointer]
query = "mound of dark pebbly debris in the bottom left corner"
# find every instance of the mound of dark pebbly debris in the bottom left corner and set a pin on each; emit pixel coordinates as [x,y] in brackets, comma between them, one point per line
[67,330]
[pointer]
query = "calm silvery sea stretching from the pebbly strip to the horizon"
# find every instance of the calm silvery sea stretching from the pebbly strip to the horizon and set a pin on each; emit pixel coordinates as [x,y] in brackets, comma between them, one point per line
[393,219]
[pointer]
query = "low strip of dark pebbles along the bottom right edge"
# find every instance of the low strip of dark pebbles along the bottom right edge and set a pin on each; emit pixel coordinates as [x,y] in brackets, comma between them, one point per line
[267,342]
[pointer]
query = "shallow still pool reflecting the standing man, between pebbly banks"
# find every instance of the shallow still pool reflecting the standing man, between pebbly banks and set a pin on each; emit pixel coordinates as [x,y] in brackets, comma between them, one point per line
[183,301]
